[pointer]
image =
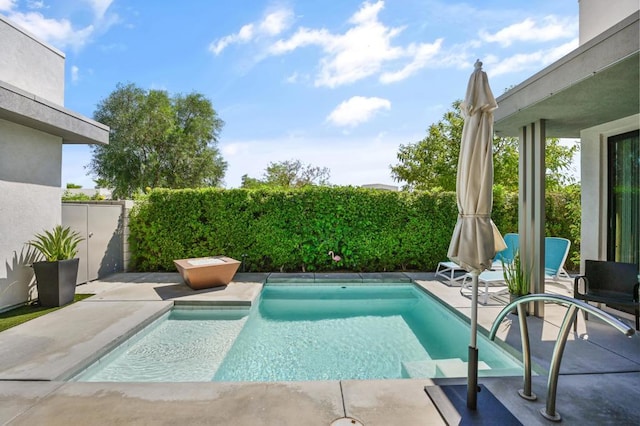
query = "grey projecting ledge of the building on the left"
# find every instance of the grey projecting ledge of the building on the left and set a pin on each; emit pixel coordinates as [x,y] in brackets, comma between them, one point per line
[24,108]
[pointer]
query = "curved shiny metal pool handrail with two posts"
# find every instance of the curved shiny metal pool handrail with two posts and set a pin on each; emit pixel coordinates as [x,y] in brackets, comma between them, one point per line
[549,412]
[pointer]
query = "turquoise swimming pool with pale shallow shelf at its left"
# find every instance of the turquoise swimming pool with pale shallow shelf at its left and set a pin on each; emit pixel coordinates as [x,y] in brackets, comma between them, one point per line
[299,333]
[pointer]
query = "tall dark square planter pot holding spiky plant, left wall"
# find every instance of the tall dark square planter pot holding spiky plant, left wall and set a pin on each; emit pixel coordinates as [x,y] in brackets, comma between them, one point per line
[56,282]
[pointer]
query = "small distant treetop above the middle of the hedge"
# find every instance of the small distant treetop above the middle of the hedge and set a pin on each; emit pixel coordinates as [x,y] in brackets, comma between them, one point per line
[289,174]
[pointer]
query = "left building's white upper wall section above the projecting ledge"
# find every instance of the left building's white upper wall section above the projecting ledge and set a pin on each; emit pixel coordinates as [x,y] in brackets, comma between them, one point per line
[30,64]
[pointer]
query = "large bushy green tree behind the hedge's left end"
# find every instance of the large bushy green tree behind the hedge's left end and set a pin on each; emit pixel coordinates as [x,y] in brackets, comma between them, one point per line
[157,140]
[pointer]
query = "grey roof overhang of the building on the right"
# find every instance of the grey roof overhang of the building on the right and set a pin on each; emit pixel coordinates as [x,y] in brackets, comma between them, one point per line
[594,84]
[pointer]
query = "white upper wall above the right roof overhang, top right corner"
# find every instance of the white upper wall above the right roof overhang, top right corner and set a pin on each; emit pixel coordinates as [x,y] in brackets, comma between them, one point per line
[598,15]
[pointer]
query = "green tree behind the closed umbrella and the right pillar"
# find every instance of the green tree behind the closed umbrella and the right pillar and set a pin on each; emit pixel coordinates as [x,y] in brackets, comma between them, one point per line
[433,161]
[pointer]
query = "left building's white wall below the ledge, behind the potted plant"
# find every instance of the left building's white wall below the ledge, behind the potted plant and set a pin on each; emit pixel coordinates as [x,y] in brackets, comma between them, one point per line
[30,194]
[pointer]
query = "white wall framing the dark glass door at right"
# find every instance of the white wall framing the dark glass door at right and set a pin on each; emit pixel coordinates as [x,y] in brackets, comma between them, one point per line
[593,171]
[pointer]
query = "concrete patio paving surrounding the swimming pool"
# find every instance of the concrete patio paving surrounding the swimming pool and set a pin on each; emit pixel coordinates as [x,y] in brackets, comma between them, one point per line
[599,382]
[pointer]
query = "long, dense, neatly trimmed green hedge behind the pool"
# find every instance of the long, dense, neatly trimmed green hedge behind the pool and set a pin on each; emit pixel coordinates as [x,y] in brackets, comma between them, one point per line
[293,230]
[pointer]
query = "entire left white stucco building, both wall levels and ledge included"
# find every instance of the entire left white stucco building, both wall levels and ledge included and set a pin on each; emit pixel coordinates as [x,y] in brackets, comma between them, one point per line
[33,127]
